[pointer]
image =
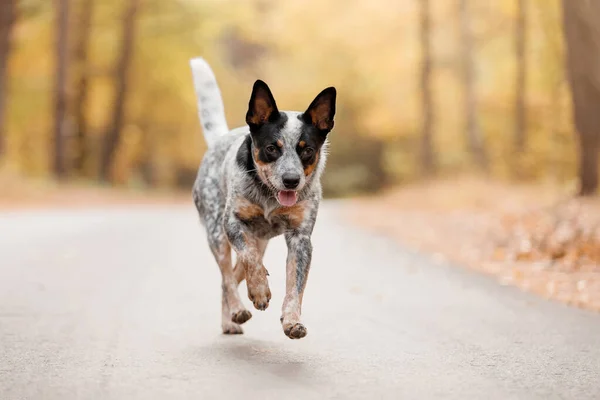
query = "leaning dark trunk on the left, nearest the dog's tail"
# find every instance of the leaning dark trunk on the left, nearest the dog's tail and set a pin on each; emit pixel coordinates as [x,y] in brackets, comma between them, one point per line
[113,135]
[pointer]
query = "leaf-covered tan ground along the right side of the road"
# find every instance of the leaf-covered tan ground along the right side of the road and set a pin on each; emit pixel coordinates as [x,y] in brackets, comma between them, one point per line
[534,237]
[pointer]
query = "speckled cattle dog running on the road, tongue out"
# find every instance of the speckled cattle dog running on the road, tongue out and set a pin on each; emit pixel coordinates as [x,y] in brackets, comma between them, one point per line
[257,182]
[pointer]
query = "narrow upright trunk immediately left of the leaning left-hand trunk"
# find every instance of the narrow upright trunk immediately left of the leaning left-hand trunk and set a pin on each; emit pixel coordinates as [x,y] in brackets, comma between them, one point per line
[81,95]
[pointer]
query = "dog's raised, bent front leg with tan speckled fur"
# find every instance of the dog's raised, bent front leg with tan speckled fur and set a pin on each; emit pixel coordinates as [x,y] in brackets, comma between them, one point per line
[249,255]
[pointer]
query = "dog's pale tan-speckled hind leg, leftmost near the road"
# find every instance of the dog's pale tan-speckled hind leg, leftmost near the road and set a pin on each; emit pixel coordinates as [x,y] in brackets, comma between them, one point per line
[233,311]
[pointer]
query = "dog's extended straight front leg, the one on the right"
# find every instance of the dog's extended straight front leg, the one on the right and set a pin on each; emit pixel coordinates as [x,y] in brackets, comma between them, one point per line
[298,265]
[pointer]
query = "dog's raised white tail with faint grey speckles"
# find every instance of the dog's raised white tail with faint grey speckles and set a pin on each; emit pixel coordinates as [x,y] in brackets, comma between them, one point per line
[210,103]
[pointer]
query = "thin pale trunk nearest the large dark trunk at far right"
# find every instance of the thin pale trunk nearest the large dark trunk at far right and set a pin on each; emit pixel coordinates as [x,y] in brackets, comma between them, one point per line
[521,77]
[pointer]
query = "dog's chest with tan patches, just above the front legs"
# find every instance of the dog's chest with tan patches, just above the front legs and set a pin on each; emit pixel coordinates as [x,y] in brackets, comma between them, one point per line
[267,225]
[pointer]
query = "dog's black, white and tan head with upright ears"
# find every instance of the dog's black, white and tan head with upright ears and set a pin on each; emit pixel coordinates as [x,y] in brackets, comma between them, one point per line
[286,146]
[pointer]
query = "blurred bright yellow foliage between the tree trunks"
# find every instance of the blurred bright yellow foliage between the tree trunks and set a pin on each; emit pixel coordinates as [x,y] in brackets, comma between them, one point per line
[369,50]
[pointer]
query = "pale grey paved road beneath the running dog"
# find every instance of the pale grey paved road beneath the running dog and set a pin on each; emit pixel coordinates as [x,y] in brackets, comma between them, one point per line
[124,304]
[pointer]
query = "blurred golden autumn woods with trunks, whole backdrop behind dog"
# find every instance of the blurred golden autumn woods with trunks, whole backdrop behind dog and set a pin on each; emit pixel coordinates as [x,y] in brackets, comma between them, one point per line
[485,82]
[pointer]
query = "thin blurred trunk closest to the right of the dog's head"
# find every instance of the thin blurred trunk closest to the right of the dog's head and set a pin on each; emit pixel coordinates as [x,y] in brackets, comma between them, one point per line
[427,159]
